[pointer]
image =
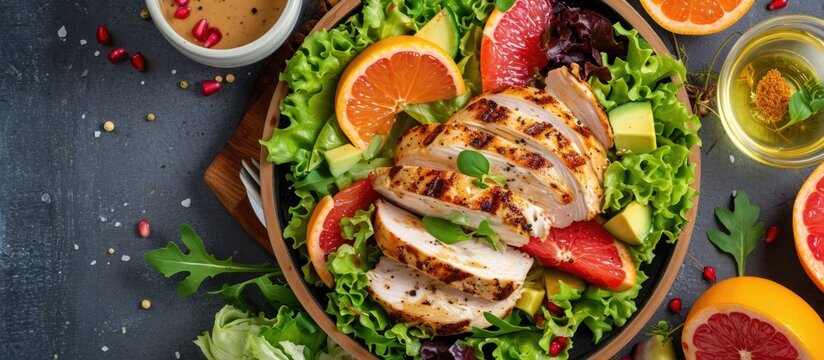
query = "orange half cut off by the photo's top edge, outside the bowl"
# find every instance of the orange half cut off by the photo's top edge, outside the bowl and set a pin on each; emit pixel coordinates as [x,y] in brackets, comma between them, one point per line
[696,17]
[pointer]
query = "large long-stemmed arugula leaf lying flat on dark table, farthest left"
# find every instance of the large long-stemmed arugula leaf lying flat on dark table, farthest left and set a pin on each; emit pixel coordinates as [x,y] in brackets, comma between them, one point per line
[200,265]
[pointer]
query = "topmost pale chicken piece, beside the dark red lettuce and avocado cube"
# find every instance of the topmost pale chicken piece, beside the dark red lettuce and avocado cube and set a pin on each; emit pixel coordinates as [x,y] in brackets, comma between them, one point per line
[565,85]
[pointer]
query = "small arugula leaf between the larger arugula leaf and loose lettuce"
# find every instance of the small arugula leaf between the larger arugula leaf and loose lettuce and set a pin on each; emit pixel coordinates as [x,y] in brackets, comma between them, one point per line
[277,294]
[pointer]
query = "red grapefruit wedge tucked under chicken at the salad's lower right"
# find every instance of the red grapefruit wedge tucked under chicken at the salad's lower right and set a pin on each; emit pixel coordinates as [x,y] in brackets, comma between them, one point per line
[587,250]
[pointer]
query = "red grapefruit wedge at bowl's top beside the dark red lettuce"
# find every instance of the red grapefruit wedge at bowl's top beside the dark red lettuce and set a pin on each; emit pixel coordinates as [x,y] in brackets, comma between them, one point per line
[511,45]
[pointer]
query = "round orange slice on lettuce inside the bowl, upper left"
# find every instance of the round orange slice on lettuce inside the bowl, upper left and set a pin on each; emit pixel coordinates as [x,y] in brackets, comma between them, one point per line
[388,75]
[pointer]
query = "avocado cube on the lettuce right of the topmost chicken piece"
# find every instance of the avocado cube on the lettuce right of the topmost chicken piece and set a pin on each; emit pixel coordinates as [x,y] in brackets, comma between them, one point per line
[633,128]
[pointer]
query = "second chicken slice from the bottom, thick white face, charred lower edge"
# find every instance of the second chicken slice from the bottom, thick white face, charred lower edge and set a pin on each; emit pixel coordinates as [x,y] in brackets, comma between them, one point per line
[470,266]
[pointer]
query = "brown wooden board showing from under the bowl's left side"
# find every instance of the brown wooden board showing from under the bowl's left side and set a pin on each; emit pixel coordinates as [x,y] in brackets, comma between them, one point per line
[222,175]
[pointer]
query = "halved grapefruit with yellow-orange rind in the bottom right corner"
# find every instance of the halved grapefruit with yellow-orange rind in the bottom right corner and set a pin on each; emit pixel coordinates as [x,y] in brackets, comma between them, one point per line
[752,318]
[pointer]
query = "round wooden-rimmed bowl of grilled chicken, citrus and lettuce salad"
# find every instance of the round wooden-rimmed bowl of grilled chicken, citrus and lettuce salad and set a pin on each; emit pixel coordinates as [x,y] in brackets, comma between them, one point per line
[467,178]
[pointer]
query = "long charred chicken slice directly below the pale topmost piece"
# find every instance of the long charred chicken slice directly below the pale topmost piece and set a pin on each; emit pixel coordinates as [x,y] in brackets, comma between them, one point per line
[547,110]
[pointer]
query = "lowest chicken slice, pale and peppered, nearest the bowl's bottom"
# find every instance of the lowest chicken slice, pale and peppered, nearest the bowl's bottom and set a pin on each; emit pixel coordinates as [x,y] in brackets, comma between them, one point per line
[416,299]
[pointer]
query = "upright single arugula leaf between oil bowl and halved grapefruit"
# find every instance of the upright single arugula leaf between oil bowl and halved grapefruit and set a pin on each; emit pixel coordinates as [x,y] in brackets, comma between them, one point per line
[744,229]
